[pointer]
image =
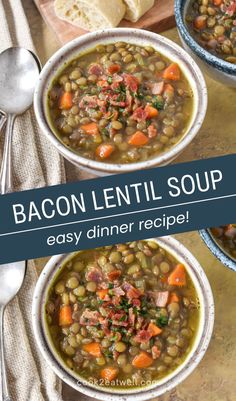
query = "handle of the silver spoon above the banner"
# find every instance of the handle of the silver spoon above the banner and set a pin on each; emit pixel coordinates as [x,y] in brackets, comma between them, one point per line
[6,168]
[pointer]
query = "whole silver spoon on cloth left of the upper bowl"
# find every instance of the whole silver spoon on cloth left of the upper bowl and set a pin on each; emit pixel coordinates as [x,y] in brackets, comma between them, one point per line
[19,74]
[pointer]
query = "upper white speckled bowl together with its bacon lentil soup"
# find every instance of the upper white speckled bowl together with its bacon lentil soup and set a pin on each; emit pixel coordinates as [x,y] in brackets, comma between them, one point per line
[120,100]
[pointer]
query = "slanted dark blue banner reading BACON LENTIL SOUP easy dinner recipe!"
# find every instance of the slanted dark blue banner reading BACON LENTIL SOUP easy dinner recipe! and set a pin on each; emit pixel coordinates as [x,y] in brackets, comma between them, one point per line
[118,208]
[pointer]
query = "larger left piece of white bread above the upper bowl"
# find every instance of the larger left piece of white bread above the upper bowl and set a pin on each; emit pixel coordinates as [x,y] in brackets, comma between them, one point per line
[91,14]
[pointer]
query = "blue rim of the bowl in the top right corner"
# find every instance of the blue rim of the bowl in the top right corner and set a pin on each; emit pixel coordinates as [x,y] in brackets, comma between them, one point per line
[202,53]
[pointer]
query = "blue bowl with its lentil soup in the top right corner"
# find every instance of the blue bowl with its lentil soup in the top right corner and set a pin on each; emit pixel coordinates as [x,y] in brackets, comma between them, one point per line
[208,32]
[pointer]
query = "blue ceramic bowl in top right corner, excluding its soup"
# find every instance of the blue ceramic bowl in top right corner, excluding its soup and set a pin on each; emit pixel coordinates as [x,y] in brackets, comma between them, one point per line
[215,67]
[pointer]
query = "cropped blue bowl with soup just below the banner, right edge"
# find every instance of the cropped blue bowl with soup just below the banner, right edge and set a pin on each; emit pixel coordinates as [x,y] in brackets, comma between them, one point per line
[222,243]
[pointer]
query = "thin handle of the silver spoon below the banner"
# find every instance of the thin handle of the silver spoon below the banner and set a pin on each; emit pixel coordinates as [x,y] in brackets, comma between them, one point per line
[4,393]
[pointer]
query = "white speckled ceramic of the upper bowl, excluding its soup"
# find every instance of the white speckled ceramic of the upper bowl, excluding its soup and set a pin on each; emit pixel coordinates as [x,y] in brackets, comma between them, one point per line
[140,37]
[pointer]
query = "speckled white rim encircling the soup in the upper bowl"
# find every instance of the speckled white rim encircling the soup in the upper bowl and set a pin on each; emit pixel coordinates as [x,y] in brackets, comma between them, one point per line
[200,97]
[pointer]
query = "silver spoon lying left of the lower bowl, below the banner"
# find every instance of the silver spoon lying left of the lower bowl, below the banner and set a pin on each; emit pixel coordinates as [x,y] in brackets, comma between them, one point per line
[11,279]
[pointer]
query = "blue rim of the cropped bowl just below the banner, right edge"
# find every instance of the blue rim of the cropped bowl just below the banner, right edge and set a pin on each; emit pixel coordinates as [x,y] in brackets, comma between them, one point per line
[217,251]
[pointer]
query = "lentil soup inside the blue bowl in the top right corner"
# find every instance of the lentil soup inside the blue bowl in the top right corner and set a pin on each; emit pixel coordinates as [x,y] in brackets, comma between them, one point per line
[213,25]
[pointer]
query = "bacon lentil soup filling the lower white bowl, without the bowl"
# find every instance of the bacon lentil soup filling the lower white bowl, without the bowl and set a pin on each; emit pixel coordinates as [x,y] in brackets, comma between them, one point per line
[123,315]
